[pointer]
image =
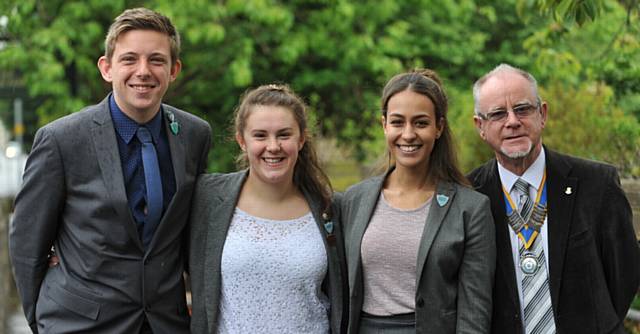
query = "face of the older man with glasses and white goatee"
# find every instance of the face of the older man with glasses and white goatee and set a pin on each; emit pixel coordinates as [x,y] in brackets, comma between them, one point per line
[513,139]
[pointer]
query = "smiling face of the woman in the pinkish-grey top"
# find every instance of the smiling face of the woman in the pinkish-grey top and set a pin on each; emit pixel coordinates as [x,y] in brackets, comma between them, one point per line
[411,129]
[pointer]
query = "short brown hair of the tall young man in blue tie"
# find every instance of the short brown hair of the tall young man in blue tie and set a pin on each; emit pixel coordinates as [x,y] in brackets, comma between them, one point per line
[142,19]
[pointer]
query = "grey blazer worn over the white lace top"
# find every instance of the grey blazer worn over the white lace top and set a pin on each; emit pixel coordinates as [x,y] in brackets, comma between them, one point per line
[215,199]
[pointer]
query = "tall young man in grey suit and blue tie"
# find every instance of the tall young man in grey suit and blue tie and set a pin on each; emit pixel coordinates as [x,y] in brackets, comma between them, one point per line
[110,188]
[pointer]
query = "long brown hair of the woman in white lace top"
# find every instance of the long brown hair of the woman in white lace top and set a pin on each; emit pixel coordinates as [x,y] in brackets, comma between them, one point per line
[307,174]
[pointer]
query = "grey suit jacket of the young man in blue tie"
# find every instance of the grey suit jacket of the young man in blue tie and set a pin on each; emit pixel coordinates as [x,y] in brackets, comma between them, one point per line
[74,197]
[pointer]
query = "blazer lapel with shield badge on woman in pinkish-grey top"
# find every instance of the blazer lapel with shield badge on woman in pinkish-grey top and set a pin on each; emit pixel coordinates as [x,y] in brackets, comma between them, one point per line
[440,205]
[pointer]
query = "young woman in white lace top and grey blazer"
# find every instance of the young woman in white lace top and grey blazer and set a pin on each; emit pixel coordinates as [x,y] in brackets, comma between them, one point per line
[266,251]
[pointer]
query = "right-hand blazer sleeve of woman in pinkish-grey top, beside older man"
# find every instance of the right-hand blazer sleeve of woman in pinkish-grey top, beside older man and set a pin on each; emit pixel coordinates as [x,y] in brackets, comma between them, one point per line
[476,274]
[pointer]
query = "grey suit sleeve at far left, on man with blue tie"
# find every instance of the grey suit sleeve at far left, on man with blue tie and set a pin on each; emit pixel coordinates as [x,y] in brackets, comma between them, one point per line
[35,221]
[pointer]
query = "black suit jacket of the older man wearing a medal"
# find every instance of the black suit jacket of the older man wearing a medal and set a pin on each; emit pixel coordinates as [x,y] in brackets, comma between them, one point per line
[594,260]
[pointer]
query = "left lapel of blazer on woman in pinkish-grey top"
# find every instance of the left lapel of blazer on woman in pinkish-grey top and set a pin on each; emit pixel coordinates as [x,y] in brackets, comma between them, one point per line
[360,222]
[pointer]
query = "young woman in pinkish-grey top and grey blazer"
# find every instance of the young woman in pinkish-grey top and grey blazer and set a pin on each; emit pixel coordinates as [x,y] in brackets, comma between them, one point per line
[419,242]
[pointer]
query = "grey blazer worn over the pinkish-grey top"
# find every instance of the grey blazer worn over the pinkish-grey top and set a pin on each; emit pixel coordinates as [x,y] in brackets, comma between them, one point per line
[456,258]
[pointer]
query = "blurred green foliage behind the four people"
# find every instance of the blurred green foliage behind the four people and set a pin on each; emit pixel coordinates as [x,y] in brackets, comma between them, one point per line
[339,53]
